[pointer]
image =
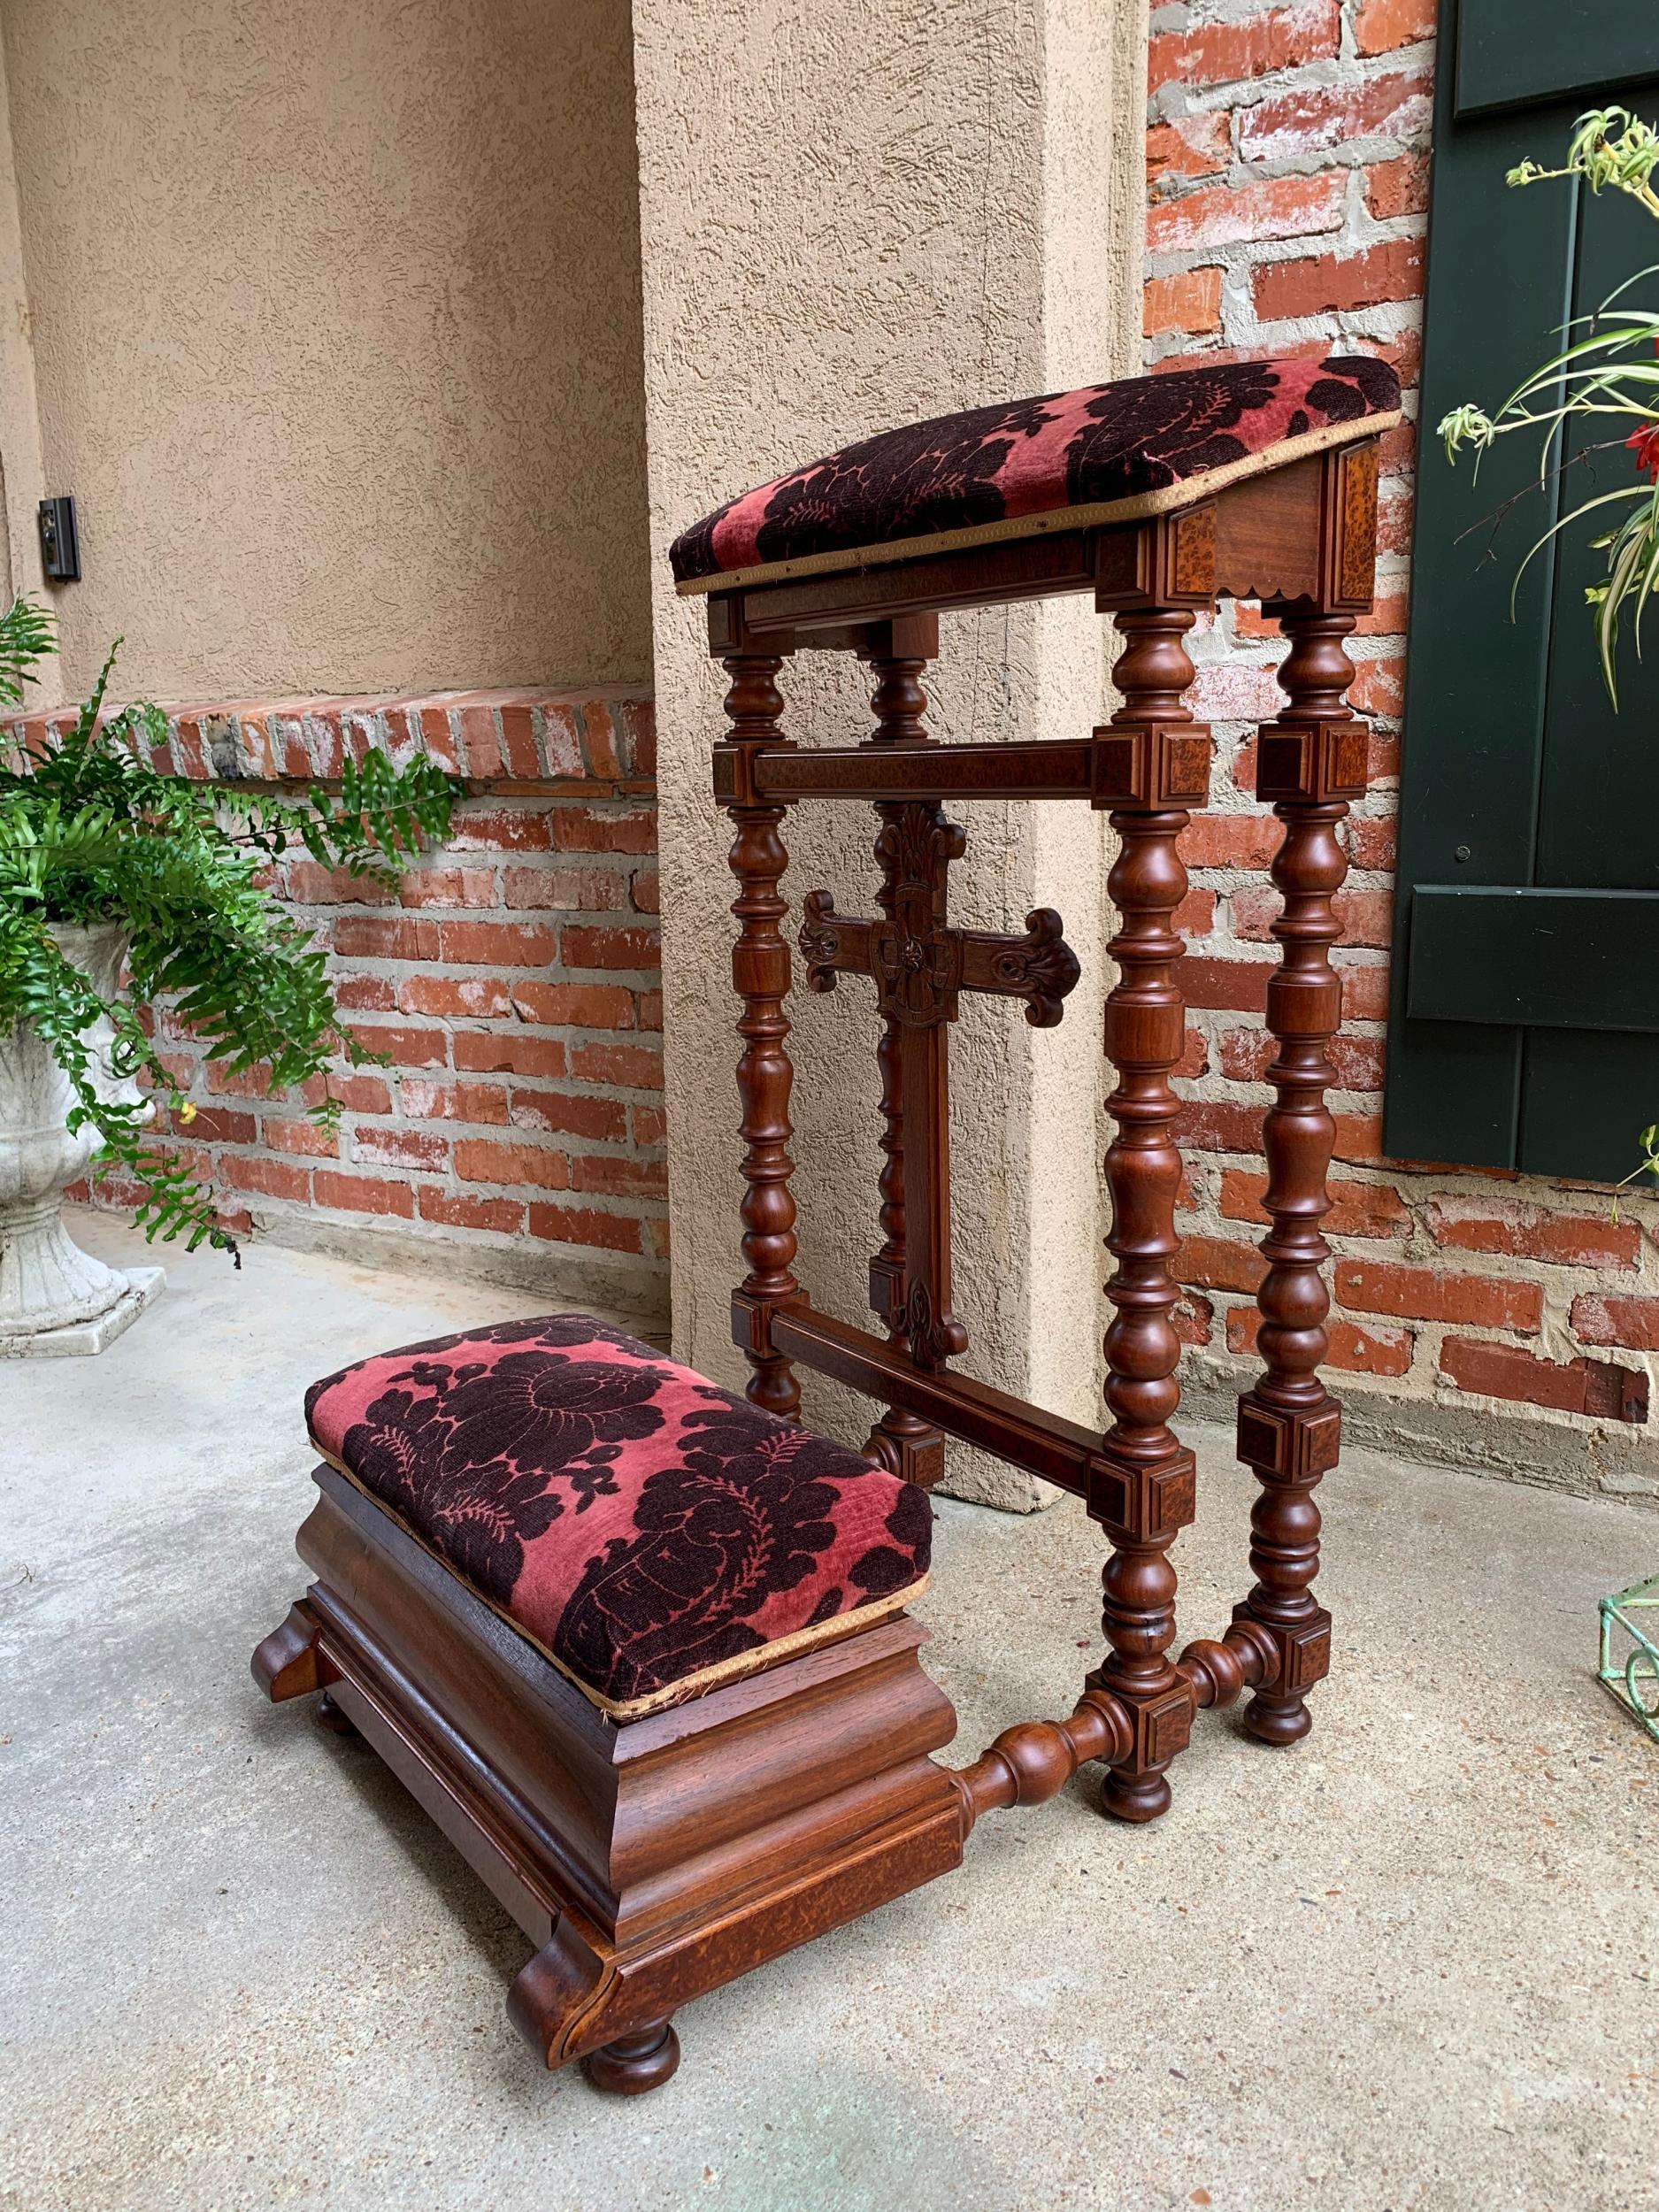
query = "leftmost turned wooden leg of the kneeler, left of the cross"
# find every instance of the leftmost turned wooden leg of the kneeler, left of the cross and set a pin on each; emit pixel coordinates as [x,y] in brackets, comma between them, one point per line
[764,1074]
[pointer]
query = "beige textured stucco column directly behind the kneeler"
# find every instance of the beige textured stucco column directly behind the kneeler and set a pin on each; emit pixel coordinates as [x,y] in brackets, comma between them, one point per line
[857,213]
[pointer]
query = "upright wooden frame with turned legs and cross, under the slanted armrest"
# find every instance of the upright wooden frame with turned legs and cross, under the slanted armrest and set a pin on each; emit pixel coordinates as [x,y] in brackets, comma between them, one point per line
[1302,541]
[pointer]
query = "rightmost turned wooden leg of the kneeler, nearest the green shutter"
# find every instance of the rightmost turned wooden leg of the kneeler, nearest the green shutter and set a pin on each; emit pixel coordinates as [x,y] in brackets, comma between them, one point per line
[1311,764]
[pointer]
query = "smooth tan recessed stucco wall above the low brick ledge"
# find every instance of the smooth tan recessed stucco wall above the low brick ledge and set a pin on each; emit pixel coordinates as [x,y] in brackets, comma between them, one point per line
[337,340]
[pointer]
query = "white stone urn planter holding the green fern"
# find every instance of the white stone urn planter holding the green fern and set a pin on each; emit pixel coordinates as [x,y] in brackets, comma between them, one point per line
[54,1297]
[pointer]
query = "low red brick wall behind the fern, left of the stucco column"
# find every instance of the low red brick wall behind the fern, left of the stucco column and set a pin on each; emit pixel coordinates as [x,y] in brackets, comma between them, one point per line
[512,979]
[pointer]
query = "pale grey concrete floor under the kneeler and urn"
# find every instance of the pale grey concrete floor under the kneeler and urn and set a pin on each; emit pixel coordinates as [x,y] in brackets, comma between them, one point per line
[1410,1963]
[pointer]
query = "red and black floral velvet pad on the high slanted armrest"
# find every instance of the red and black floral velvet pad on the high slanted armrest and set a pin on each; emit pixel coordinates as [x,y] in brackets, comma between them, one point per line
[1100,455]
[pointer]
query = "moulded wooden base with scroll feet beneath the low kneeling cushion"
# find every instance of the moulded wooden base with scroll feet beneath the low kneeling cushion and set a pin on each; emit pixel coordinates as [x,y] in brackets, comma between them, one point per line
[654,1859]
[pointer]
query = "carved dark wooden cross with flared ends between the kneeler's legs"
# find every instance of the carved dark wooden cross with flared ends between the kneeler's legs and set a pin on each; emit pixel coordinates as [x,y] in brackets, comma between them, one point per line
[919,966]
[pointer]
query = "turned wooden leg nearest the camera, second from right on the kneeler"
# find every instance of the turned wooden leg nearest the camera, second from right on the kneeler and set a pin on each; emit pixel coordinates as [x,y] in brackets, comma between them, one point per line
[1145,1485]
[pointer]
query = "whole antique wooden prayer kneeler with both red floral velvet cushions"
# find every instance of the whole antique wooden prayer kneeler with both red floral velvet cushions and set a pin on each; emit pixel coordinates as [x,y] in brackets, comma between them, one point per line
[536,1547]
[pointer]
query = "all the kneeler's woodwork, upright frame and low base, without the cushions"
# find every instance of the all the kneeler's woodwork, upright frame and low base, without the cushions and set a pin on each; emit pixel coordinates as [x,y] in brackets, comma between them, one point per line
[658,1859]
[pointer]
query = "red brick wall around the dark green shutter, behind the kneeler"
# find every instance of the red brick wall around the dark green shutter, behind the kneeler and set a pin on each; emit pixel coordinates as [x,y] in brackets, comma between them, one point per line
[1286,211]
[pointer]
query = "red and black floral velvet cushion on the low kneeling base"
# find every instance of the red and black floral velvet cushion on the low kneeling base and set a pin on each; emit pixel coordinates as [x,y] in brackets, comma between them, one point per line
[649,1532]
